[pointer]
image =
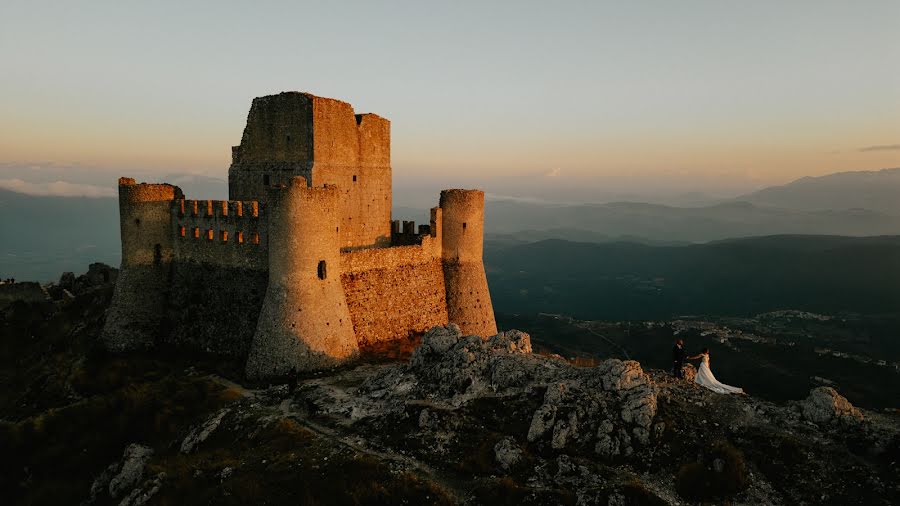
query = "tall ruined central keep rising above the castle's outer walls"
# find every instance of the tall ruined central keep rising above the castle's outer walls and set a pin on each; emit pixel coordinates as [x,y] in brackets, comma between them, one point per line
[326,143]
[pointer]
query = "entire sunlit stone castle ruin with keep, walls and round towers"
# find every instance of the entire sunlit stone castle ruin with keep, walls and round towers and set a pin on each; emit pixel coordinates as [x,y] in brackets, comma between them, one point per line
[302,265]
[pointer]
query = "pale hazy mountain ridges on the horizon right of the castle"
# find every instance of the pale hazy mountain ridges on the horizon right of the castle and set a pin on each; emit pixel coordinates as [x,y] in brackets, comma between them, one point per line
[847,203]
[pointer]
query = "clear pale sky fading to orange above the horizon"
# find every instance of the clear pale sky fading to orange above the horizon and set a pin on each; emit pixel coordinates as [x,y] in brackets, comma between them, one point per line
[713,96]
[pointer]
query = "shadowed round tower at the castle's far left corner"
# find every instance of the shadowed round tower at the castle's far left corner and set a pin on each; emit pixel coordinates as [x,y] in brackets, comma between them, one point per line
[138,303]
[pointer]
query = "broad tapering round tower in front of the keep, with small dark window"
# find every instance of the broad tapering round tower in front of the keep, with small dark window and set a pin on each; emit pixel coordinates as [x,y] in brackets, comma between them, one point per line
[304,323]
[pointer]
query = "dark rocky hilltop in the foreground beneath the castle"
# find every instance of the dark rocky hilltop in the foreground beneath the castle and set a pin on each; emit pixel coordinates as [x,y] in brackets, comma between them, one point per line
[457,420]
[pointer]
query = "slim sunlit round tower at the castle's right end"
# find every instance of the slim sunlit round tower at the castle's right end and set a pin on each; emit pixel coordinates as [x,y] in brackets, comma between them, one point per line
[468,299]
